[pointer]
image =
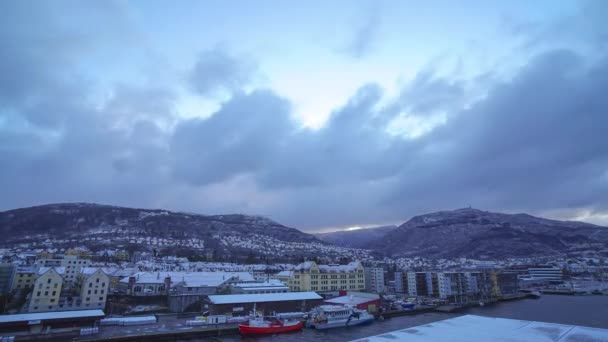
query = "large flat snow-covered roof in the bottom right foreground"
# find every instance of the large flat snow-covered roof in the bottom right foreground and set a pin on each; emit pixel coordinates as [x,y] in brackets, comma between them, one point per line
[477,328]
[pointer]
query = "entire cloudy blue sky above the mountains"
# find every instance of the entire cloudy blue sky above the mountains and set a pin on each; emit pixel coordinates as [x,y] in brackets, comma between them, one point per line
[320,115]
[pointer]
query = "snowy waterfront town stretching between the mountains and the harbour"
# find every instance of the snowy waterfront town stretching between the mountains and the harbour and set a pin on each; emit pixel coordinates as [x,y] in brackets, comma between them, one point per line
[78,292]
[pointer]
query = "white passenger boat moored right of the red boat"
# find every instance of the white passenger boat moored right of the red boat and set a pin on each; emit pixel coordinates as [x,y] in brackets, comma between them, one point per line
[334,316]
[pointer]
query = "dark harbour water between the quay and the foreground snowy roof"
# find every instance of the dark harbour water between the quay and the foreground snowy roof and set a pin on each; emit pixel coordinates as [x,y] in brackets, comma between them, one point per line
[578,310]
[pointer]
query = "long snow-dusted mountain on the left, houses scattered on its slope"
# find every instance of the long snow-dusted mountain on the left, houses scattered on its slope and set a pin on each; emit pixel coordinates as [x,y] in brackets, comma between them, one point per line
[103,226]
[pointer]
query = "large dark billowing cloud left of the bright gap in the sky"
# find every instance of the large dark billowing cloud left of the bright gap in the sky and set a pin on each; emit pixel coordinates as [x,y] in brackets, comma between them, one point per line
[242,137]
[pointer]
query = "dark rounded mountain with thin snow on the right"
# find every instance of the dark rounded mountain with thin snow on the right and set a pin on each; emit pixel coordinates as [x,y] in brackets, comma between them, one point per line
[481,234]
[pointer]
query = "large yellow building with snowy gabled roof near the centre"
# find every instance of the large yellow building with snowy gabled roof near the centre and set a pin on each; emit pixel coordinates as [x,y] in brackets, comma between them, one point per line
[309,276]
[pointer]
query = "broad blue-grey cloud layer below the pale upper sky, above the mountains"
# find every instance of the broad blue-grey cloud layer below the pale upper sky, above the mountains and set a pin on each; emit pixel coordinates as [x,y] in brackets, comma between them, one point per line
[536,141]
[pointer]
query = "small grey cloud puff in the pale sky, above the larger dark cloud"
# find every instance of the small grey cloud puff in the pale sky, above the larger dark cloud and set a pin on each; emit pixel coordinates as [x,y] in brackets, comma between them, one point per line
[216,71]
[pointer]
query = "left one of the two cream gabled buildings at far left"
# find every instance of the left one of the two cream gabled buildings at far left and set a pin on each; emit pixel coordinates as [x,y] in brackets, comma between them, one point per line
[47,289]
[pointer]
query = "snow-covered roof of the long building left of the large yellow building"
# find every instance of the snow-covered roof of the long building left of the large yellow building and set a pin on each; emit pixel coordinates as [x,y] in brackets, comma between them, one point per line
[190,279]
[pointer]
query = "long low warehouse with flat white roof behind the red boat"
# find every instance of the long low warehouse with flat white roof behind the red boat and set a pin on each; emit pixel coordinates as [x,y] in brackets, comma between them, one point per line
[242,304]
